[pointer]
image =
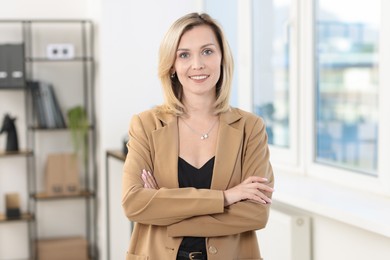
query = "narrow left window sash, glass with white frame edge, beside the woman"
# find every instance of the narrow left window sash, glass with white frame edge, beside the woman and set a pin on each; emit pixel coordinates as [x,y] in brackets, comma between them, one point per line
[274,77]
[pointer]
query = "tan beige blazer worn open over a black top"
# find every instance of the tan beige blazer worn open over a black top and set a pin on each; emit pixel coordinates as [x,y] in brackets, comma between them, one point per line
[162,217]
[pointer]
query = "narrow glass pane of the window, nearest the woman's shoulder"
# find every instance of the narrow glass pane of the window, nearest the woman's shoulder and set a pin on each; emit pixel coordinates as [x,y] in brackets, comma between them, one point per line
[271,68]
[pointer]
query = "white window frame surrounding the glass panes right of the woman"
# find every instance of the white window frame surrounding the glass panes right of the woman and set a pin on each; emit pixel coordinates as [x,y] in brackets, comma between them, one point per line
[299,158]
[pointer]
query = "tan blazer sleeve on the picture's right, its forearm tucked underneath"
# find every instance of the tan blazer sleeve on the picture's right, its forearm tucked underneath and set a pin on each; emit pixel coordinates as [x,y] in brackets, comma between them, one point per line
[242,216]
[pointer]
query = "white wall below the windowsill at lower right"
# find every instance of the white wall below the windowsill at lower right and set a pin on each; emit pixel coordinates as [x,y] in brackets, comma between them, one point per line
[329,238]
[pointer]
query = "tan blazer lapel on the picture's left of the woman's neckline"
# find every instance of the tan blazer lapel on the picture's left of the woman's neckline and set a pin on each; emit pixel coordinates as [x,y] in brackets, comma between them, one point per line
[165,143]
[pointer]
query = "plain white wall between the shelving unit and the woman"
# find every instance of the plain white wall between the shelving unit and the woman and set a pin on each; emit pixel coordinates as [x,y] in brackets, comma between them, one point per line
[130,35]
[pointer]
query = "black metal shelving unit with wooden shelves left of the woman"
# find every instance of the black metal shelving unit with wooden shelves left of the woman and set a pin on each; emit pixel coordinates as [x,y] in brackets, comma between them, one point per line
[72,77]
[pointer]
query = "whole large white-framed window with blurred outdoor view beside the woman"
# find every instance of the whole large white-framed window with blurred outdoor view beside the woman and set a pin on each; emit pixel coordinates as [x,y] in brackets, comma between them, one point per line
[319,77]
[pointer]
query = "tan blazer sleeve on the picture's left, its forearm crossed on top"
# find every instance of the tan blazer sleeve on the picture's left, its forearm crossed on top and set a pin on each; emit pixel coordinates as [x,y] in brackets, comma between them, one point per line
[159,207]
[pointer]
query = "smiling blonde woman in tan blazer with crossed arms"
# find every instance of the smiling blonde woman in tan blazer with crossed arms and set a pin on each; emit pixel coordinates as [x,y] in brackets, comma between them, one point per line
[197,180]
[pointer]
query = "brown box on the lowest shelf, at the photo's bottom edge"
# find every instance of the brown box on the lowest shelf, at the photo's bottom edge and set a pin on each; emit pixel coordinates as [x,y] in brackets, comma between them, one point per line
[75,248]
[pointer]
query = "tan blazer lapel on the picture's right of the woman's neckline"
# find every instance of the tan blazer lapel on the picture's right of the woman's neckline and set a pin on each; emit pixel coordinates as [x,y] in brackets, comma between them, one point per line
[228,146]
